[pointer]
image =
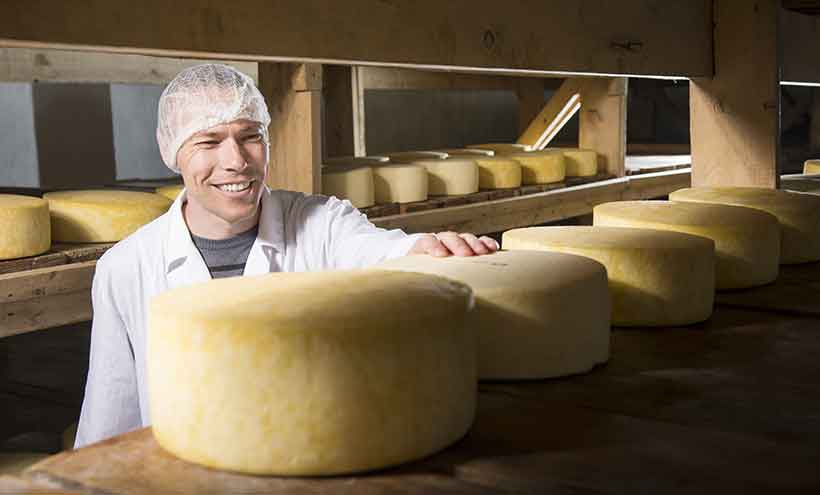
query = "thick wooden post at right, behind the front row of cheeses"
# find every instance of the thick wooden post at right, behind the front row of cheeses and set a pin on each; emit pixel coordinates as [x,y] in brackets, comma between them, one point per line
[735,114]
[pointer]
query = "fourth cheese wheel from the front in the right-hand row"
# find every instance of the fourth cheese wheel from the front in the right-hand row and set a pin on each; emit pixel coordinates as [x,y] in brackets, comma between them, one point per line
[747,241]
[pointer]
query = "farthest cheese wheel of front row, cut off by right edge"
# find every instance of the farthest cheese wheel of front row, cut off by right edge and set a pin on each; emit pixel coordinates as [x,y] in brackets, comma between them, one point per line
[798,213]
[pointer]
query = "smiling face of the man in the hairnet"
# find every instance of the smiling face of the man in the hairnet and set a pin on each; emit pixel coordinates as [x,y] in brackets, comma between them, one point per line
[224,169]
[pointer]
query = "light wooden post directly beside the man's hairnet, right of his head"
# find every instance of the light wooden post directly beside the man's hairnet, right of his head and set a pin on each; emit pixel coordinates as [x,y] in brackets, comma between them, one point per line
[294,96]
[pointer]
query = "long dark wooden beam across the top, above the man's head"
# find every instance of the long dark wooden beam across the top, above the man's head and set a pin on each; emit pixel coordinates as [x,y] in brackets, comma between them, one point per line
[625,37]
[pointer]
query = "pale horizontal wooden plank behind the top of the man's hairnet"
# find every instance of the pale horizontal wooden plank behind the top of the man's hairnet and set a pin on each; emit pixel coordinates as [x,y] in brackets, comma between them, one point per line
[27,65]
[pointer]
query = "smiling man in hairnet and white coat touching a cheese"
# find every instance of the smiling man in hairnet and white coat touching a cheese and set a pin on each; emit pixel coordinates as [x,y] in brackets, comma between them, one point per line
[212,128]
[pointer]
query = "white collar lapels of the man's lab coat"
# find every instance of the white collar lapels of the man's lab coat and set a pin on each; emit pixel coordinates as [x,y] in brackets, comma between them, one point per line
[183,262]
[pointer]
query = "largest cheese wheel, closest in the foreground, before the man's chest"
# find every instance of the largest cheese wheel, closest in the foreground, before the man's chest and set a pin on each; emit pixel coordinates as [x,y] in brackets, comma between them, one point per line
[344,372]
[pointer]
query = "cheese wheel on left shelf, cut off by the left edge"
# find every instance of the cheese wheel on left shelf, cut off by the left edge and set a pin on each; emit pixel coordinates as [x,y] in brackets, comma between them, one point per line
[25,226]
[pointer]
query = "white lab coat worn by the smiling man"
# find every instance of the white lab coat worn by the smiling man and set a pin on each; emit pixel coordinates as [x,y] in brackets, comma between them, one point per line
[297,232]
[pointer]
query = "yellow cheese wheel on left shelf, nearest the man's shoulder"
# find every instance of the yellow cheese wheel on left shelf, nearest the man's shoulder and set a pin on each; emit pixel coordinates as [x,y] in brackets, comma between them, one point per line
[101,216]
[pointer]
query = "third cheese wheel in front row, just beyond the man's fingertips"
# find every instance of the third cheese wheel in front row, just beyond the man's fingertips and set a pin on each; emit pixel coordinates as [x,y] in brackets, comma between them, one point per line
[656,278]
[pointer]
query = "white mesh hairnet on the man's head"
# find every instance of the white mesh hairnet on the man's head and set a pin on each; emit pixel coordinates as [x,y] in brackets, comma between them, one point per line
[201,97]
